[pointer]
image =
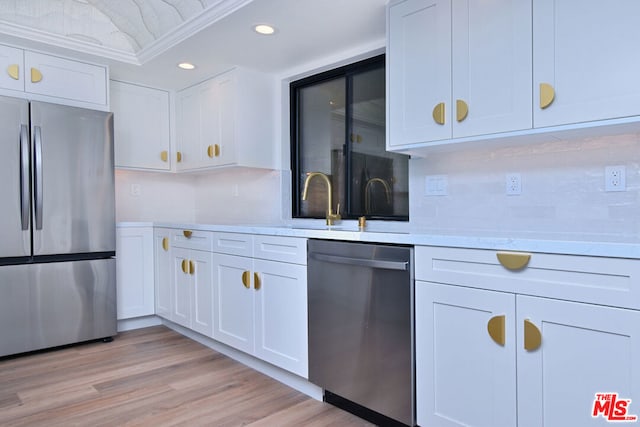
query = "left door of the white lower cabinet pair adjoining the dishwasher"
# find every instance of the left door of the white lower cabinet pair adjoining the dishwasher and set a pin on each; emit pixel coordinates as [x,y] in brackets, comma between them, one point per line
[234,299]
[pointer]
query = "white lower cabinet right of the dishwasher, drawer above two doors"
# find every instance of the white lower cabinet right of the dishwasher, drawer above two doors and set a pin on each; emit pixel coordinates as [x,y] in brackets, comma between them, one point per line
[500,358]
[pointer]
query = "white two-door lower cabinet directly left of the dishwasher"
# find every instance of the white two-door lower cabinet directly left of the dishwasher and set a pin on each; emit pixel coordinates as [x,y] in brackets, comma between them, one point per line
[261,304]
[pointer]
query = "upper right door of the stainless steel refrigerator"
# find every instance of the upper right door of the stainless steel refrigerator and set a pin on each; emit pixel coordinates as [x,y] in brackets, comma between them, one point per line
[73,180]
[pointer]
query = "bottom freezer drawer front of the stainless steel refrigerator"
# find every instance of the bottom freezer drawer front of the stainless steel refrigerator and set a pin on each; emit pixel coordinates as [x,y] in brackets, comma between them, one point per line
[53,304]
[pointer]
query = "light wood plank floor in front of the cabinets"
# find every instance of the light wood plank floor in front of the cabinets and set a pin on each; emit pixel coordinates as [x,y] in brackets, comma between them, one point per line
[155,377]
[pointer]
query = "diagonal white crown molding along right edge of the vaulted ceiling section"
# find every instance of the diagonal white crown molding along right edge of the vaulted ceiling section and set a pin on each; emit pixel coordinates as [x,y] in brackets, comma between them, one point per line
[190,27]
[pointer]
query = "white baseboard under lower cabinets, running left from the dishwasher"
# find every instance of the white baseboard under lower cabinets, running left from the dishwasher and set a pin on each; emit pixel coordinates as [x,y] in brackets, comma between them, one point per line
[285,377]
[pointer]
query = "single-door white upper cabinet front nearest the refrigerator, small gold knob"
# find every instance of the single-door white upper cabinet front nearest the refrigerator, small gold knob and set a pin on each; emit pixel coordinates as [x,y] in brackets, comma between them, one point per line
[141,126]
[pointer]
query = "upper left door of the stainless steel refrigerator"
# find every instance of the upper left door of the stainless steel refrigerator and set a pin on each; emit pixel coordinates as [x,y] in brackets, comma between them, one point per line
[14,178]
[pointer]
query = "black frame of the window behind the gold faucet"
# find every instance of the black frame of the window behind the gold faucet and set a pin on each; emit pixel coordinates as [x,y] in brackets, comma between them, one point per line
[347,72]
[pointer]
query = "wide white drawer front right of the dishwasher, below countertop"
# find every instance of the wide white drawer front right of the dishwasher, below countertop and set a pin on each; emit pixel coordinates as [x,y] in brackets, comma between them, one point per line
[598,280]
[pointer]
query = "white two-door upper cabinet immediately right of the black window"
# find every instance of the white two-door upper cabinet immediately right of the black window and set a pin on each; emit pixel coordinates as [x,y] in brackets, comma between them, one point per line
[457,69]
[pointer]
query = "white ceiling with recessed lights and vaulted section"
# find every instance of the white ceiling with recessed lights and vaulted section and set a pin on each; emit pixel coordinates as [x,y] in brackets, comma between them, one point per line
[143,40]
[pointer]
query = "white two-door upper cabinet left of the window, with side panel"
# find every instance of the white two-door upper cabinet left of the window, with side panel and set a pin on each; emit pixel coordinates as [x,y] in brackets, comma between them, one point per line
[227,121]
